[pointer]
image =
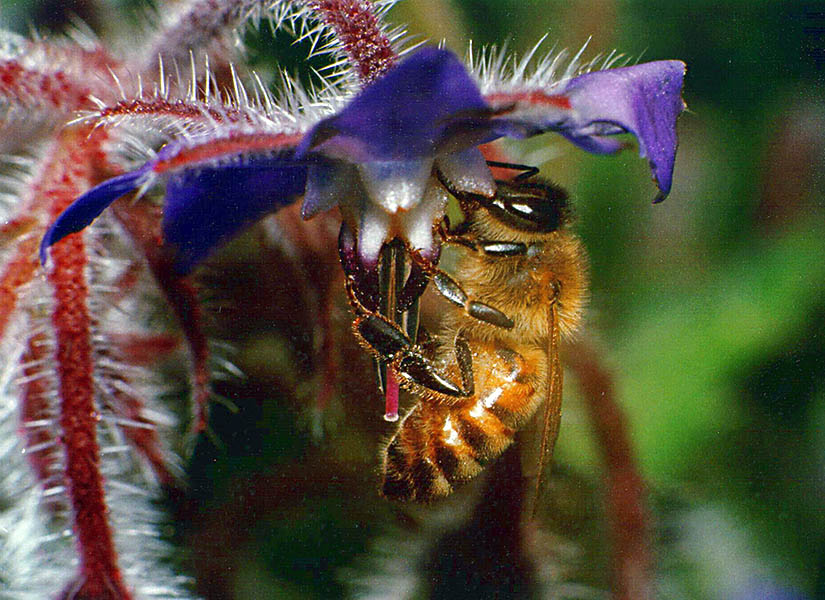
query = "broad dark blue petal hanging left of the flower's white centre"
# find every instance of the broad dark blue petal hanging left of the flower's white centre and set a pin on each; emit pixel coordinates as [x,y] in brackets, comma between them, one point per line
[206,206]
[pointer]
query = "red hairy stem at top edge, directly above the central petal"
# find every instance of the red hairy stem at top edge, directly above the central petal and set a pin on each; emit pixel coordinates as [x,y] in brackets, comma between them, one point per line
[358,29]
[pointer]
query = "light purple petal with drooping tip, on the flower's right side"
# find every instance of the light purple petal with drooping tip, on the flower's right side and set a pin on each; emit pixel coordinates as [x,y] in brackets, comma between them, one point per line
[644,100]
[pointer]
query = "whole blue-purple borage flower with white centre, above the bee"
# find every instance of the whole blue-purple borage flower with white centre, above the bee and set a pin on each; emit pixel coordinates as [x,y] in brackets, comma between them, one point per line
[376,157]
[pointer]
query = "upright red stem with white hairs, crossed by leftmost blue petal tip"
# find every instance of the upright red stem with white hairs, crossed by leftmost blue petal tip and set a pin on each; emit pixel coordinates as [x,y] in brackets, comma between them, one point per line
[99,576]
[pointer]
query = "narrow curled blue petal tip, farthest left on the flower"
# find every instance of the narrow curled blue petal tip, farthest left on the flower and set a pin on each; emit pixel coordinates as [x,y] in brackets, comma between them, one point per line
[90,205]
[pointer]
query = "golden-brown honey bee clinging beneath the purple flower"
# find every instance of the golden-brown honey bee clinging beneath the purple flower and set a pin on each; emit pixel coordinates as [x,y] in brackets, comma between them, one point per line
[520,284]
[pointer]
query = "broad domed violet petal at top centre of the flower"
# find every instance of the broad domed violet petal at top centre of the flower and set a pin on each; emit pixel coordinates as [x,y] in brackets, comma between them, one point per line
[408,114]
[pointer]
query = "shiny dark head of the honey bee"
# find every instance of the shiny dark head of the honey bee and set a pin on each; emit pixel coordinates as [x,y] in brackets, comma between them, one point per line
[535,206]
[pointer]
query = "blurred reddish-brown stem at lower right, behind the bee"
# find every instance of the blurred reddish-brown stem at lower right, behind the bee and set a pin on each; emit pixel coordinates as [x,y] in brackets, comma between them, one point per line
[626,509]
